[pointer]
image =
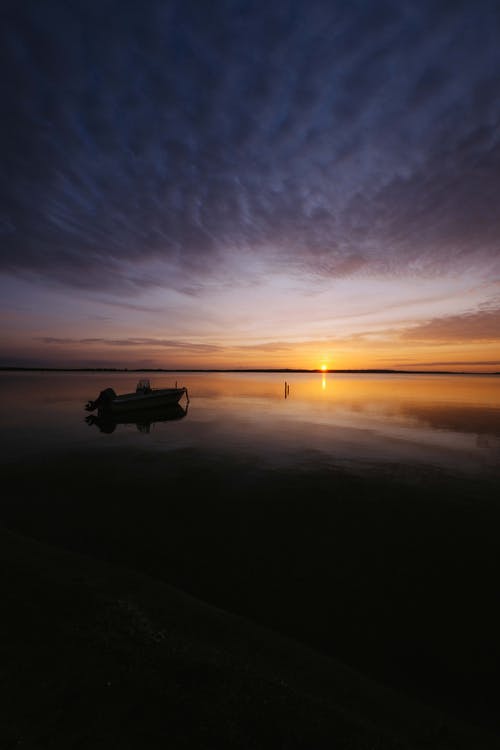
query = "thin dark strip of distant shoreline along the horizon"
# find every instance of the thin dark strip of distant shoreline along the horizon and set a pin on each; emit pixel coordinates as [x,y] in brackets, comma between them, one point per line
[248,370]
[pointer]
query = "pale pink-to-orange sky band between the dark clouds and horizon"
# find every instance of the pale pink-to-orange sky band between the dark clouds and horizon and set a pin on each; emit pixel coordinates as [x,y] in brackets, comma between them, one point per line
[429,324]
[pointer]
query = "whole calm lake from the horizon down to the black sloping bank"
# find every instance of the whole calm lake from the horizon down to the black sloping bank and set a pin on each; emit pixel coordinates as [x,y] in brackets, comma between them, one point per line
[358,513]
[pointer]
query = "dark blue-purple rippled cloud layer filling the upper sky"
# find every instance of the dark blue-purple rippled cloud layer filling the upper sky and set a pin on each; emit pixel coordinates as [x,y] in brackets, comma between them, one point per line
[340,136]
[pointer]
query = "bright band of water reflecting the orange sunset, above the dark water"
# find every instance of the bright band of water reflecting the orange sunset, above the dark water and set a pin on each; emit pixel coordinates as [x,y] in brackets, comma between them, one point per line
[448,421]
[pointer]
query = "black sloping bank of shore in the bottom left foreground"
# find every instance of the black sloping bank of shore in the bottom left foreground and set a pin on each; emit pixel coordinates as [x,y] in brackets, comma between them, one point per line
[98,656]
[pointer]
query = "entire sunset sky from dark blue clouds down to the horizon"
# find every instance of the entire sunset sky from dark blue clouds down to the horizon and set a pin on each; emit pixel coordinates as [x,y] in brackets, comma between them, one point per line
[245,184]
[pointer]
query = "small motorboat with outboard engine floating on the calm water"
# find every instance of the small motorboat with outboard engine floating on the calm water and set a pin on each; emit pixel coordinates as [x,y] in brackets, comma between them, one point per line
[144,397]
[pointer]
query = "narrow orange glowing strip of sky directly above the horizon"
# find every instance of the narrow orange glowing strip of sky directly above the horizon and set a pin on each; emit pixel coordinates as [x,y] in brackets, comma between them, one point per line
[87,347]
